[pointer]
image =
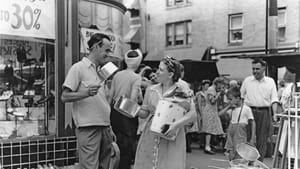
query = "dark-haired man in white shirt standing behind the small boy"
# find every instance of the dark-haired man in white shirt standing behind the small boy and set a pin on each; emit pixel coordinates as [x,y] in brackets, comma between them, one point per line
[259,93]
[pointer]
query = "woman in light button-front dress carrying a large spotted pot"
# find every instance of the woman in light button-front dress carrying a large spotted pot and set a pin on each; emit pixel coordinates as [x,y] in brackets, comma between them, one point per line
[154,152]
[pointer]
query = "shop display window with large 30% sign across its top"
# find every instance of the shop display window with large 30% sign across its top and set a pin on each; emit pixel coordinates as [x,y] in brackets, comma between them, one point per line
[27,69]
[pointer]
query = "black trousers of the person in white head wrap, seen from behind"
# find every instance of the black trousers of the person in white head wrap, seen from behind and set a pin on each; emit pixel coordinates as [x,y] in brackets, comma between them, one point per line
[125,129]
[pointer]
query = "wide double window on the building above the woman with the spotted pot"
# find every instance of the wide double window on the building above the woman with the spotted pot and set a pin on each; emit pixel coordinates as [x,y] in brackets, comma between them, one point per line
[171,34]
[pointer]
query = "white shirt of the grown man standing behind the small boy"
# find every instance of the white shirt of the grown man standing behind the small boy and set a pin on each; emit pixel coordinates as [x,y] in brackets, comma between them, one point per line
[259,93]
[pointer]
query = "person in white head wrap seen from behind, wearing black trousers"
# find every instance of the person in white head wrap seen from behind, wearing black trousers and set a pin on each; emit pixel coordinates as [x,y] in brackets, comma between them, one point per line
[126,83]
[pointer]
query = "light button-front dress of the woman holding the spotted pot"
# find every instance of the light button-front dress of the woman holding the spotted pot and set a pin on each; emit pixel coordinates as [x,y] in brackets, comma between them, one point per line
[154,152]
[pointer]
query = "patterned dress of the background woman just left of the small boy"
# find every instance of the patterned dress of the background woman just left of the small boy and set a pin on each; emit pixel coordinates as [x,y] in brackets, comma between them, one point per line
[211,122]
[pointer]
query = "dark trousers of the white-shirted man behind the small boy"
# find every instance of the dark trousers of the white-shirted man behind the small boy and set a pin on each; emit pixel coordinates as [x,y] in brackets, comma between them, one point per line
[263,120]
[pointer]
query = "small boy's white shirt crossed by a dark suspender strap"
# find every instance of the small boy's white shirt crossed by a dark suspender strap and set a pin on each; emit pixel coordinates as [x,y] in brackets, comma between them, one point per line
[246,115]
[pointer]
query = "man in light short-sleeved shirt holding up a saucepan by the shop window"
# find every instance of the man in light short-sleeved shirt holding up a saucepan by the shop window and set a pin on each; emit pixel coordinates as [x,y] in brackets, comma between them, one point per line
[91,111]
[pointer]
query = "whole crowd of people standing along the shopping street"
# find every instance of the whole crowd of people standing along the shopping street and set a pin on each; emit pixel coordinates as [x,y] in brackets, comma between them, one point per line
[238,112]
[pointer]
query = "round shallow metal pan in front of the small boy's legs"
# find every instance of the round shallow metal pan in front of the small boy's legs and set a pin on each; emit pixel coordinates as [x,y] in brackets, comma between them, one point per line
[247,151]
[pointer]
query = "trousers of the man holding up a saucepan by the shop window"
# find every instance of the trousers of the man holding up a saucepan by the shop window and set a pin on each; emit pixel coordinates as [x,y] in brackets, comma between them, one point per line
[94,147]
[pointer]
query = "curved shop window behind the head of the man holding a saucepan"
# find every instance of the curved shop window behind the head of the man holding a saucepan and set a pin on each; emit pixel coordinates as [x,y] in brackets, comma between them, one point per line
[97,17]
